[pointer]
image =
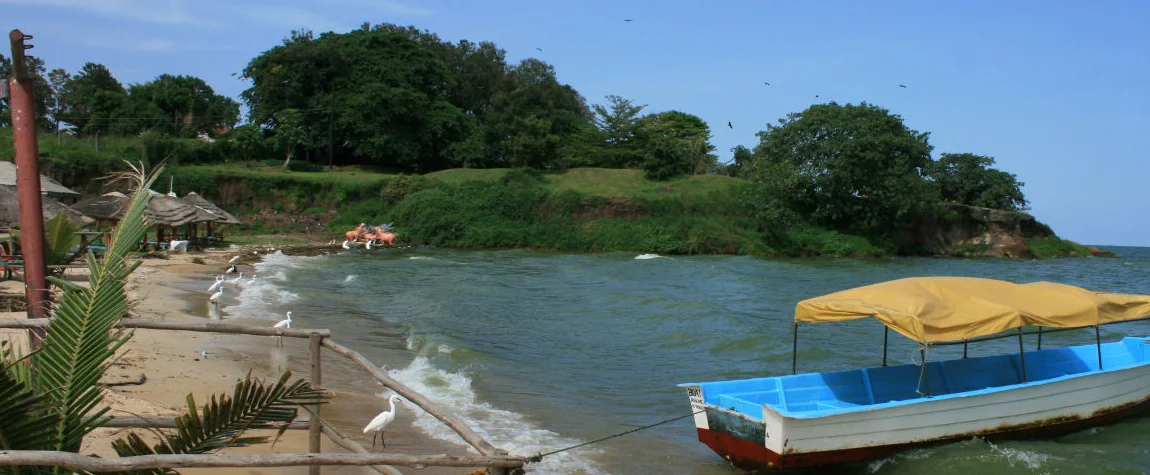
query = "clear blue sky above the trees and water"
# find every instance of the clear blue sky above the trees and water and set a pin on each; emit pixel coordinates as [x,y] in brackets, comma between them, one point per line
[1055,91]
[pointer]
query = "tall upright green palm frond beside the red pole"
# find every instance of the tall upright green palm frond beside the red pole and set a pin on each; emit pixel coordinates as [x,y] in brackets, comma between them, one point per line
[81,339]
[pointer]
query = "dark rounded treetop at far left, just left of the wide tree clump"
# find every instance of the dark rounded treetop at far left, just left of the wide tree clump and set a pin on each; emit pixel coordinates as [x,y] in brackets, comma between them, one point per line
[94,99]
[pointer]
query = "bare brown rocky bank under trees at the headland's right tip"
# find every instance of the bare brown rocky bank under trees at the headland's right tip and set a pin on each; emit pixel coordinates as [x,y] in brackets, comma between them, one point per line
[971,231]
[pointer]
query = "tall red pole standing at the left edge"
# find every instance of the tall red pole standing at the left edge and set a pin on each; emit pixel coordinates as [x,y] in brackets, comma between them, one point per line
[22,106]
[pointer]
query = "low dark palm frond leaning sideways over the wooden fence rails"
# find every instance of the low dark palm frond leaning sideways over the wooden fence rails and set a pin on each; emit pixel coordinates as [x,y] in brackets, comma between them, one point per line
[223,422]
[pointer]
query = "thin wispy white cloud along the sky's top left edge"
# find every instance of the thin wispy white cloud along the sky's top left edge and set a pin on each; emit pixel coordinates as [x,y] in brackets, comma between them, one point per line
[165,12]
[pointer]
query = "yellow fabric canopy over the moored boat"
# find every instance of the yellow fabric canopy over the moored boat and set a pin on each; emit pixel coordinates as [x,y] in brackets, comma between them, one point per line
[937,310]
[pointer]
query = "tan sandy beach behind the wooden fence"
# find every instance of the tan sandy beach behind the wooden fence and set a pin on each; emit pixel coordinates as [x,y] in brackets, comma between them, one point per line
[174,367]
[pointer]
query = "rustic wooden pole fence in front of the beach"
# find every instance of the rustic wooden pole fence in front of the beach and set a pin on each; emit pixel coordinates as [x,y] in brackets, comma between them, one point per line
[497,462]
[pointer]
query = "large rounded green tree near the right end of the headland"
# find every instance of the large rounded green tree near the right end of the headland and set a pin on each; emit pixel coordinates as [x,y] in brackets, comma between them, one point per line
[860,168]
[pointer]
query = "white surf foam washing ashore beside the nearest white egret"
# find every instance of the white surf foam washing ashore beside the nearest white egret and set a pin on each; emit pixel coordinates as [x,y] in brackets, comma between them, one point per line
[504,430]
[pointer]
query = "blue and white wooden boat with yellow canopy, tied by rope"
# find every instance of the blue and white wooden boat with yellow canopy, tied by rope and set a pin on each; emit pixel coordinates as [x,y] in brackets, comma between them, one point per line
[819,419]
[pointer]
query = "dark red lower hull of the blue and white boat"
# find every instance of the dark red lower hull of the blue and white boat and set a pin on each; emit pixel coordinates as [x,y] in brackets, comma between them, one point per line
[753,456]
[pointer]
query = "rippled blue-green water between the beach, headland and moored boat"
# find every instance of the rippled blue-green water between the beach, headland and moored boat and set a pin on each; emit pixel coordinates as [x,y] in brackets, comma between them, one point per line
[543,351]
